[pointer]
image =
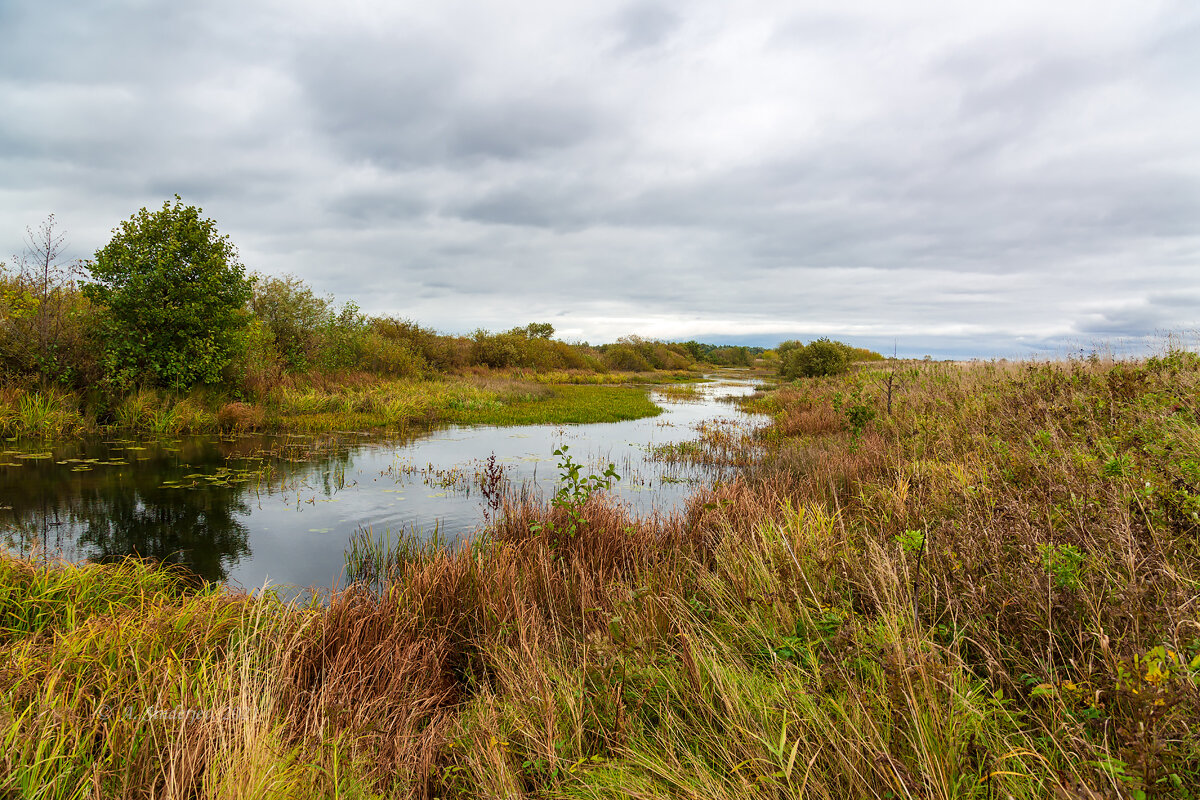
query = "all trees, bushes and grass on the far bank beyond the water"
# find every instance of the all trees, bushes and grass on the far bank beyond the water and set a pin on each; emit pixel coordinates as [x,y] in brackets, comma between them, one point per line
[165,333]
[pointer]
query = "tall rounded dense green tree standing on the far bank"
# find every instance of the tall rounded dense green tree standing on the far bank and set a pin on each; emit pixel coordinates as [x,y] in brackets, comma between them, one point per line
[173,297]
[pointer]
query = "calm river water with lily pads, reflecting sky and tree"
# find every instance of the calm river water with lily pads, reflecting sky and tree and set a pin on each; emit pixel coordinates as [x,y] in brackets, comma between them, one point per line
[251,510]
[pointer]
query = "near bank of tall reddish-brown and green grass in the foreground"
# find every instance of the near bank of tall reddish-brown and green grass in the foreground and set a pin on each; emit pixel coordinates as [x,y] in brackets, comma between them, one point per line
[992,592]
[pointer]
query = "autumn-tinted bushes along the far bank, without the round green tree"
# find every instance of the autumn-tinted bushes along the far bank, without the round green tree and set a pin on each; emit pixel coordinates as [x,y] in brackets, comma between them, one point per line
[51,332]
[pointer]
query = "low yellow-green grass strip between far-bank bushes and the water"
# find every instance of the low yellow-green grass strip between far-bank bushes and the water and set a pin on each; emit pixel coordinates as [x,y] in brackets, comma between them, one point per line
[346,402]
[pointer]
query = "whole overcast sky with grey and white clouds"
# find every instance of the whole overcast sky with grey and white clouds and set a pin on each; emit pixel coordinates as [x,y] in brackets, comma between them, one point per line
[958,178]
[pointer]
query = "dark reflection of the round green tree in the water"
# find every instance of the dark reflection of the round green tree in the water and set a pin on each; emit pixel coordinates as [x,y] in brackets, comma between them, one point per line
[199,531]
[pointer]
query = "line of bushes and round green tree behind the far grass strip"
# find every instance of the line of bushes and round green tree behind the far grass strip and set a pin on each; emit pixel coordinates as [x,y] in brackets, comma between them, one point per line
[166,304]
